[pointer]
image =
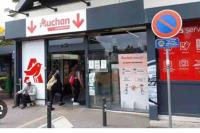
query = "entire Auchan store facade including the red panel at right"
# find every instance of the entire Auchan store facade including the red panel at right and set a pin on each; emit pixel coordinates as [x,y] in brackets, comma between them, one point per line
[114,44]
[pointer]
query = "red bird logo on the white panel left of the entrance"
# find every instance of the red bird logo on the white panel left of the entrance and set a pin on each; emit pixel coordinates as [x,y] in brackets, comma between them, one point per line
[33,71]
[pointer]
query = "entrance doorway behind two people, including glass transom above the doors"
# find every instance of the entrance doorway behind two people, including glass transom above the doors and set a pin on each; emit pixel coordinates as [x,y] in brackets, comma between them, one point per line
[64,55]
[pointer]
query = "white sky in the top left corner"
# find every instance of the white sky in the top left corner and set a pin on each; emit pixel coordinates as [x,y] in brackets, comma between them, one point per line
[5,4]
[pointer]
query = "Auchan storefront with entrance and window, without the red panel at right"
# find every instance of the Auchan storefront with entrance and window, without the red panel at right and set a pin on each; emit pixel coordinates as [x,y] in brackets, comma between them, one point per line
[112,56]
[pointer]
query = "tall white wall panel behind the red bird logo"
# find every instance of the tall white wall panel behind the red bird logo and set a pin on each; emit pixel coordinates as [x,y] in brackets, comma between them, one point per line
[34,49]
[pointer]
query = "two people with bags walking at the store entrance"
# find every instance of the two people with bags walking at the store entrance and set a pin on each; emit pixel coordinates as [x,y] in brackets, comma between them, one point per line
[55,85]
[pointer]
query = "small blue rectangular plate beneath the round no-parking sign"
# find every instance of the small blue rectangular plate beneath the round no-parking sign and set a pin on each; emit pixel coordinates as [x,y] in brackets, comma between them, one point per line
[167,43]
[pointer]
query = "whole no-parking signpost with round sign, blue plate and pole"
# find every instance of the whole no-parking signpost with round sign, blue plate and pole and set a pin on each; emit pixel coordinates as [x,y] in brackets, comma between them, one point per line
[167,24]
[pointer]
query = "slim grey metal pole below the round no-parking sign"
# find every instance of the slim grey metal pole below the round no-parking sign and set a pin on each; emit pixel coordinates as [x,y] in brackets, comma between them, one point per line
[168,86]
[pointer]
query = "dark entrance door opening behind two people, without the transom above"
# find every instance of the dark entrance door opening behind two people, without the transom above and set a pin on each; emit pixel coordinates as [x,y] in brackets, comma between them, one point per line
[66,63]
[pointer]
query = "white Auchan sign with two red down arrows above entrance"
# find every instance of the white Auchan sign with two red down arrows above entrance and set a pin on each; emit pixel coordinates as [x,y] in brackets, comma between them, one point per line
[74,21]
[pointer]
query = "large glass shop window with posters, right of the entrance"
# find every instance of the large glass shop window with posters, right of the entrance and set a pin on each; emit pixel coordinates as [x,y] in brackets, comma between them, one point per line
[118,71]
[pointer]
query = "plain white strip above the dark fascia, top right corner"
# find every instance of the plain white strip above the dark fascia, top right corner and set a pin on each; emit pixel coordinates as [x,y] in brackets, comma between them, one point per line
[158,3]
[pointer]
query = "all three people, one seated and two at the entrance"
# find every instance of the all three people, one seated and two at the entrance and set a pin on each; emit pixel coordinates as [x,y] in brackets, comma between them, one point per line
[54,85]
